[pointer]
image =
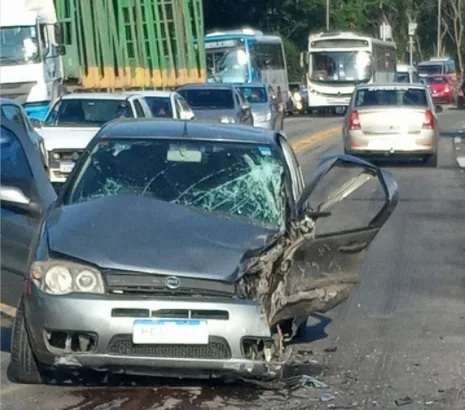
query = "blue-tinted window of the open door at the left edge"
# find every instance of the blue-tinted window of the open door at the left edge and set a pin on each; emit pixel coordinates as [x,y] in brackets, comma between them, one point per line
[15,170]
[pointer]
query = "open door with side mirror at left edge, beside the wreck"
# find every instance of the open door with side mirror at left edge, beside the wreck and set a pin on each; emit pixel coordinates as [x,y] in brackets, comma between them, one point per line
[25,194]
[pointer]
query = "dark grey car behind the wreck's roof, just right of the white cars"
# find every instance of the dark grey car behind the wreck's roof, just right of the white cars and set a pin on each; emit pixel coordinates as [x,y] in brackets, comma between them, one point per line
[217,103]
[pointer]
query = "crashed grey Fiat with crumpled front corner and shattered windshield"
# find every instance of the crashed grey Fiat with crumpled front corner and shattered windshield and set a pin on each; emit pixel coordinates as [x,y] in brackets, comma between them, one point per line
[188,249]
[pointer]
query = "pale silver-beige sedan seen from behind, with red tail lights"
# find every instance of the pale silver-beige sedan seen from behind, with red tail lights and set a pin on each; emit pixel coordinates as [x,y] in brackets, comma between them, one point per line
[392,119]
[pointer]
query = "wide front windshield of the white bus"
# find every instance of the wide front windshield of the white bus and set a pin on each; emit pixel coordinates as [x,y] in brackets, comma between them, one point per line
[340,66]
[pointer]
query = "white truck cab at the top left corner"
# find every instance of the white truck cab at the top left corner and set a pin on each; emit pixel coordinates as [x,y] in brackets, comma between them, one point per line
[31,67]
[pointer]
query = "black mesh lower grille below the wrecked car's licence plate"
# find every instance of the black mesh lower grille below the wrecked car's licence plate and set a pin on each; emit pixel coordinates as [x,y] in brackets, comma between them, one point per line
[216,349]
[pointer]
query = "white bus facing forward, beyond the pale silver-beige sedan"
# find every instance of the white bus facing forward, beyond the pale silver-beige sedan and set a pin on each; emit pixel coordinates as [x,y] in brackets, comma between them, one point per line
[337,61]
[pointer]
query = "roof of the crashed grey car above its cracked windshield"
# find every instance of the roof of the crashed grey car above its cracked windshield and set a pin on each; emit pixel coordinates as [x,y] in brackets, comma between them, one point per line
[188,130]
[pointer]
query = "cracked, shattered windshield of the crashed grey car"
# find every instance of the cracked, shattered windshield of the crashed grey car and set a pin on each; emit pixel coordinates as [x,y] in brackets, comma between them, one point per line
[236,180]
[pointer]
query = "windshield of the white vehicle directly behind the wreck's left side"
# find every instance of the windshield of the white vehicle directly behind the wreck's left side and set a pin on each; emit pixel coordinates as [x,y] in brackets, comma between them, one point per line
[87,112]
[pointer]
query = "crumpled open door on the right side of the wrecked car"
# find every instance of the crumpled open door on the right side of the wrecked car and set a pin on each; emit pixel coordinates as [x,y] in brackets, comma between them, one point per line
[339,213]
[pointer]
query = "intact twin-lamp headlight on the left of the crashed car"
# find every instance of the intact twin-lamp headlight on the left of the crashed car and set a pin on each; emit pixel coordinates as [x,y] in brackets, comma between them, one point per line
[63,278]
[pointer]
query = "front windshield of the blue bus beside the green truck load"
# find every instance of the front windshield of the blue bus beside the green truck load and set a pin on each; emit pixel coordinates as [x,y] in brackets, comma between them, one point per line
[227,64]
